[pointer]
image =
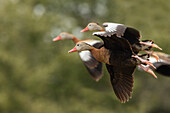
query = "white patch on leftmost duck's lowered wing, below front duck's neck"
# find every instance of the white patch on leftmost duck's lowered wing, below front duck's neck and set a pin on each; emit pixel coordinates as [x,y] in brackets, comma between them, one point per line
[85,55]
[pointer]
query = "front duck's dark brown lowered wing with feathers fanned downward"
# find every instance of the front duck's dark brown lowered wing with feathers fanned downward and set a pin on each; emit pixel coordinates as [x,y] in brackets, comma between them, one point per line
[122,81]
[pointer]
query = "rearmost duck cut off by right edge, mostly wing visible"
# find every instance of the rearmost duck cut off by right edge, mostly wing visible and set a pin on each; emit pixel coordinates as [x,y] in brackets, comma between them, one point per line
[162,66]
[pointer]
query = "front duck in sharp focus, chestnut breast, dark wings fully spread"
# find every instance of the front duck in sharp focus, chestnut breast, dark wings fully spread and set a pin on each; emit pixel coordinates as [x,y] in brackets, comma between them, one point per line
[120,62]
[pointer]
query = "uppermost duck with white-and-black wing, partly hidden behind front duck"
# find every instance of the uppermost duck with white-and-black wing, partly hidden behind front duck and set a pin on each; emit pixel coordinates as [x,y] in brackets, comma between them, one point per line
[122,31]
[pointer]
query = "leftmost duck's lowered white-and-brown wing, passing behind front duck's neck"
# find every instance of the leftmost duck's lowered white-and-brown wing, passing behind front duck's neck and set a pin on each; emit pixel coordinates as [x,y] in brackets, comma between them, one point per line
[94,67]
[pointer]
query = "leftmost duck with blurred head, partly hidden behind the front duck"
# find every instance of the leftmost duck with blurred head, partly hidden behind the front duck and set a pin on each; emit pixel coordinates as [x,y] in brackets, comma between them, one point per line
[93,66]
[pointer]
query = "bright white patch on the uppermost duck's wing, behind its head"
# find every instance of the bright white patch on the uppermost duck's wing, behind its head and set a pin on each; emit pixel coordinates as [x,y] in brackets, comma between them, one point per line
[111,27]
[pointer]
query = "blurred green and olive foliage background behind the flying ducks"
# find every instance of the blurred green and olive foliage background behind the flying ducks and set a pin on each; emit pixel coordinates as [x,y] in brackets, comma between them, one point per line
[39,76]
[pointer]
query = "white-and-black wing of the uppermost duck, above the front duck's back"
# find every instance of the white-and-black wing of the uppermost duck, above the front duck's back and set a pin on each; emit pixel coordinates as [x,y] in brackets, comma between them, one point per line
[122,31]
